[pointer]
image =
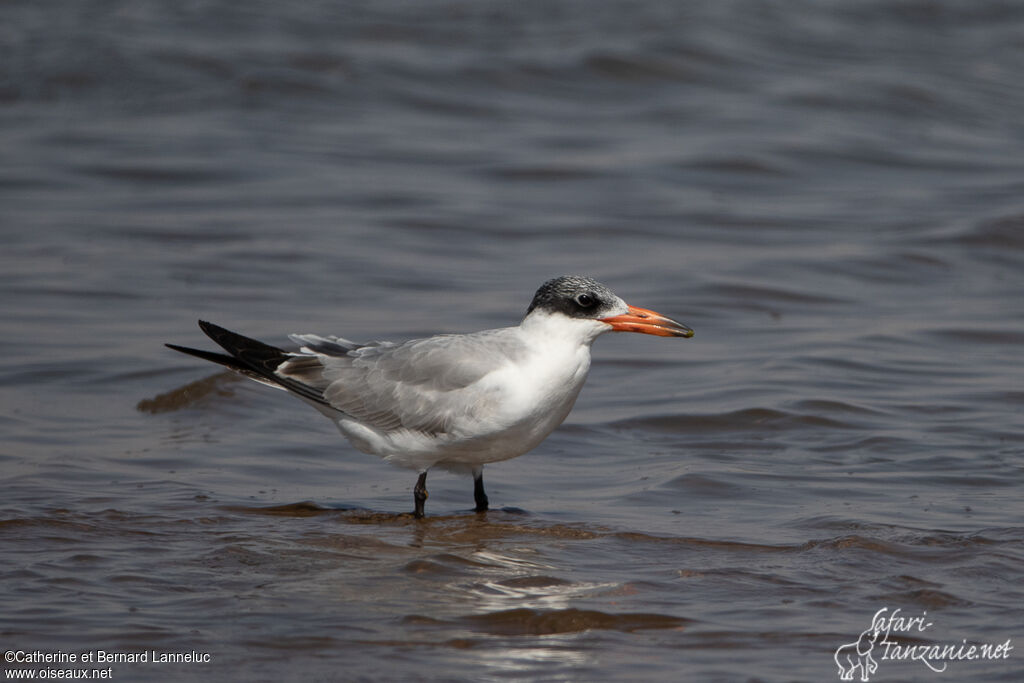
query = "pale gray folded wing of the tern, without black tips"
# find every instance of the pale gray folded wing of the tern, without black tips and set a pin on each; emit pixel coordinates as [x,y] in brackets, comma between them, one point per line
[420,386]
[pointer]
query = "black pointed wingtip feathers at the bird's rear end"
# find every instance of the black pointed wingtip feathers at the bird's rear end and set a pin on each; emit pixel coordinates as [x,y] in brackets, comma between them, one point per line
[252,359]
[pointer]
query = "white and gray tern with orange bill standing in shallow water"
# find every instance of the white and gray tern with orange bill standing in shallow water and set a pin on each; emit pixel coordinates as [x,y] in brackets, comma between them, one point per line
[458,402]
